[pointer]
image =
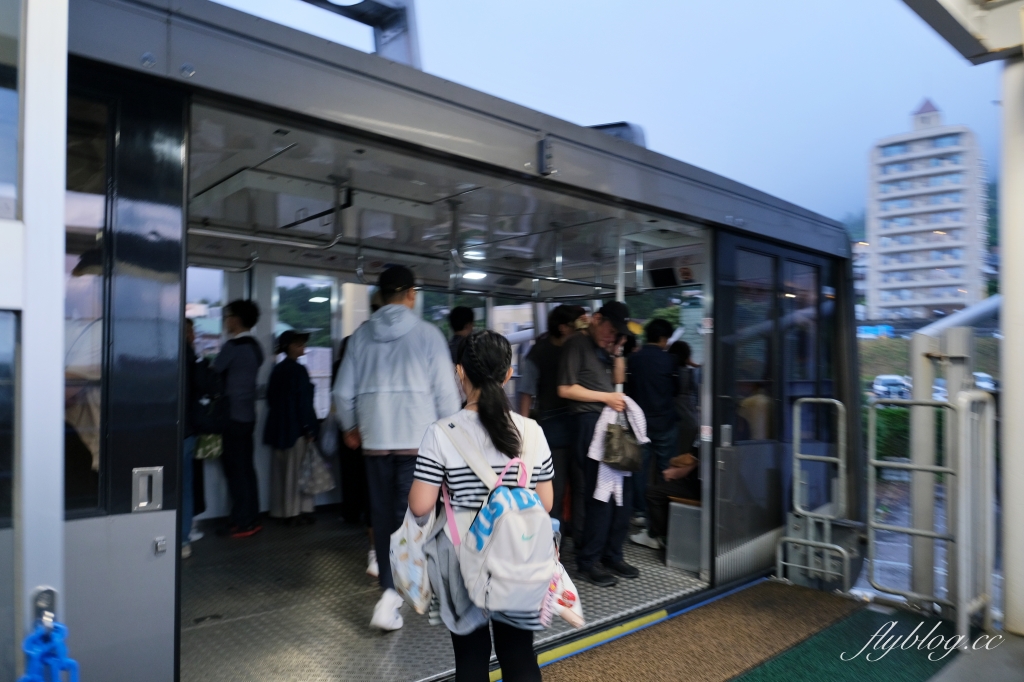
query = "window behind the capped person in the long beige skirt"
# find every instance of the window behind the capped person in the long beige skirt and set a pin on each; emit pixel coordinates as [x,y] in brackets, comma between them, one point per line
[305,305]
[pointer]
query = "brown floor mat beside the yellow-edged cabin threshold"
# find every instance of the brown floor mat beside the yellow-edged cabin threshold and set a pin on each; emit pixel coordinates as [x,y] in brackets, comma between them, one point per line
[713,644]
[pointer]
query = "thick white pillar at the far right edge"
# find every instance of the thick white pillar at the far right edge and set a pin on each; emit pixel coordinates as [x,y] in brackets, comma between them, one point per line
[1012,286]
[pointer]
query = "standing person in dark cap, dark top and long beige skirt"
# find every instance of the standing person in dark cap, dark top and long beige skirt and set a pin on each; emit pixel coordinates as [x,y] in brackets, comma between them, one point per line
[291,428]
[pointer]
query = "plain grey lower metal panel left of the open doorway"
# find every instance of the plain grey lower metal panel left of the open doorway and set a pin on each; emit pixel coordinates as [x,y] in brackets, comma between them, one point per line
[120,598]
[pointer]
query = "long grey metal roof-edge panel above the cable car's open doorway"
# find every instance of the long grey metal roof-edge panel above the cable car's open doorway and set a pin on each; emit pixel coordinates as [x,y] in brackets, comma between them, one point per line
[227,52]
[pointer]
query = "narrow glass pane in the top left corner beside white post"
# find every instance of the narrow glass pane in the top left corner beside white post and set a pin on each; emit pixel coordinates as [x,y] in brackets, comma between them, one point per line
[11,26]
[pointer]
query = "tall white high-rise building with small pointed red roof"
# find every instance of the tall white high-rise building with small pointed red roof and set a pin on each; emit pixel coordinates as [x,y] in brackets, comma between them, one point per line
[927,209]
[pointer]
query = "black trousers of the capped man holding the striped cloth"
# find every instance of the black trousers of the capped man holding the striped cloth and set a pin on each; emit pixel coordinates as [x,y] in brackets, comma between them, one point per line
[607,524]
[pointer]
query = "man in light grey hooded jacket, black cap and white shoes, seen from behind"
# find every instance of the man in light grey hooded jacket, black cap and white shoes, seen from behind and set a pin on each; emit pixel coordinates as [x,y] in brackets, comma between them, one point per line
[397,379]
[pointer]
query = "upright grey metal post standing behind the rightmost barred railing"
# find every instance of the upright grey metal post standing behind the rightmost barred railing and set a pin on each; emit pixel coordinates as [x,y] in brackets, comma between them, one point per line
[923,453]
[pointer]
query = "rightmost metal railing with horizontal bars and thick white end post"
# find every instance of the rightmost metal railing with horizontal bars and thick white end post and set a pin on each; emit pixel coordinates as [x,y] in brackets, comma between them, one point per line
[971,483]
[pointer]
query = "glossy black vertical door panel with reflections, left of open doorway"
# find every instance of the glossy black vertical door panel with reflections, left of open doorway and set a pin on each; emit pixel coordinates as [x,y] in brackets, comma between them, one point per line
[146,299]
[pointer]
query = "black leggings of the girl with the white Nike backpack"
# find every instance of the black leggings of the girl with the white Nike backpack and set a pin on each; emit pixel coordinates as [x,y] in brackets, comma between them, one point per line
[514,647]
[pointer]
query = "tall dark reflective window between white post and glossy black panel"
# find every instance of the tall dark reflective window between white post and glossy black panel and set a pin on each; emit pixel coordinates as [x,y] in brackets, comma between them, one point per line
[86,271]
